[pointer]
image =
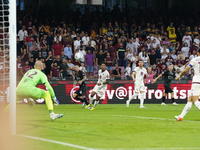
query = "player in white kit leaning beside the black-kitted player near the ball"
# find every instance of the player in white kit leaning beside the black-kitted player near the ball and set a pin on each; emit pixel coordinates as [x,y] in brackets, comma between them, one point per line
[100,87]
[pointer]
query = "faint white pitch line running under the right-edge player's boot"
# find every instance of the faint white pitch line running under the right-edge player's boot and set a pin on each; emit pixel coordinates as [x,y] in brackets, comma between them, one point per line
[141,117]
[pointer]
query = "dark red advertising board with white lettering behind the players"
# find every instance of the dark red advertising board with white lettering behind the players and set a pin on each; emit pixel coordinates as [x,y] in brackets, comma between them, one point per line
[118,92]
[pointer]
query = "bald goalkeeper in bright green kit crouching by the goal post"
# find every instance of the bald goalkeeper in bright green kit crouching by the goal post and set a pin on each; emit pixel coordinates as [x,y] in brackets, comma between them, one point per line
[27,89]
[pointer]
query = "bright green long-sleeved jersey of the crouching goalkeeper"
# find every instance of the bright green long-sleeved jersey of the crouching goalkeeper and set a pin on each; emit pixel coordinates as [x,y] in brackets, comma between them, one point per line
[33,77]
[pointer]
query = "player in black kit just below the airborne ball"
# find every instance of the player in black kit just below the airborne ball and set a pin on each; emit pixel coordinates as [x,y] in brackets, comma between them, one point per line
[81,92]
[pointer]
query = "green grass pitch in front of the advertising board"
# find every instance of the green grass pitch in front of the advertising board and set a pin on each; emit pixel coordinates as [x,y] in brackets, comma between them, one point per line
[110,127]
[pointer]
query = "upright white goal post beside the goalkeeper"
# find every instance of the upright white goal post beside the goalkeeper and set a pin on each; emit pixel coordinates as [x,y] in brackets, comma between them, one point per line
[12,53]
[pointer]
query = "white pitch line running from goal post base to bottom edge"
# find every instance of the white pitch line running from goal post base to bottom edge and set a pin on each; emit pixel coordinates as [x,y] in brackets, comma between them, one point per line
[57,142]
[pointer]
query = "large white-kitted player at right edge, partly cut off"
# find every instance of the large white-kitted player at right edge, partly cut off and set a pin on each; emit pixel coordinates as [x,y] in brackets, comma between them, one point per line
[195,88]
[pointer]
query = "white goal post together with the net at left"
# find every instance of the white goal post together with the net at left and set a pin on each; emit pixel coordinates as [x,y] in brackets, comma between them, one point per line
[8,57]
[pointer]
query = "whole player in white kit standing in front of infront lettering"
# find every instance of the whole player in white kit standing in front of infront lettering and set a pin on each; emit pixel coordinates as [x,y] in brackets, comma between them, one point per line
[139,72]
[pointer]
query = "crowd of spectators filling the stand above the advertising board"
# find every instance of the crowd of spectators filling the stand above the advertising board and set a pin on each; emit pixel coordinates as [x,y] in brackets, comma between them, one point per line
[118,38]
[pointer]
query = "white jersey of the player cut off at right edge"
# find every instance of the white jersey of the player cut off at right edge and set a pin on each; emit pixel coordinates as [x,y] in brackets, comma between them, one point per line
[195,64]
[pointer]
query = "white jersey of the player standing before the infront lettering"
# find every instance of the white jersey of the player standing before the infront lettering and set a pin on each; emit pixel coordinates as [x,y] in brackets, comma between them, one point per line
[140,73]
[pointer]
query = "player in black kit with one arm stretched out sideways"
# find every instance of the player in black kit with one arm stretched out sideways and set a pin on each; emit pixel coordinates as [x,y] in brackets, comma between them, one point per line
[168,76]
